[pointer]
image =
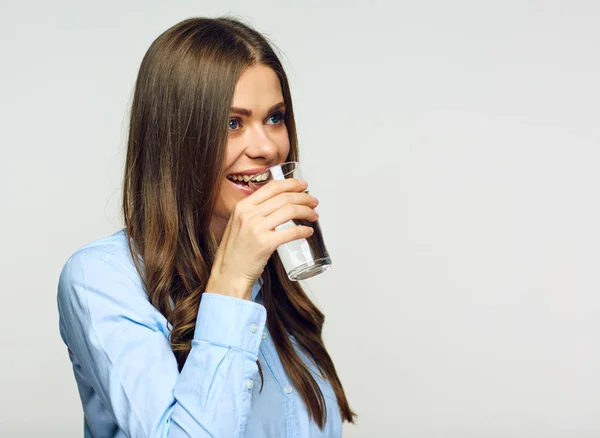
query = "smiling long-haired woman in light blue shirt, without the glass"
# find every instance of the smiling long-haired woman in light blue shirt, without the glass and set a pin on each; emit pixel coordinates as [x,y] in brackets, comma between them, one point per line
[184,323]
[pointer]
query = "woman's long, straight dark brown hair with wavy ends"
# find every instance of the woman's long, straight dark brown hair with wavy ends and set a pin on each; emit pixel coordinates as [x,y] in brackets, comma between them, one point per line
[177,139]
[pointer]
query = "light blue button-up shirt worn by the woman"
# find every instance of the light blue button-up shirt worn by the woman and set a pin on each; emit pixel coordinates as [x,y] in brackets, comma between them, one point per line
[127,374]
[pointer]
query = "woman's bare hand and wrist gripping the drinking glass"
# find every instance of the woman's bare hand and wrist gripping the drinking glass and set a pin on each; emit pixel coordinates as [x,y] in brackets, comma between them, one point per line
[250,236]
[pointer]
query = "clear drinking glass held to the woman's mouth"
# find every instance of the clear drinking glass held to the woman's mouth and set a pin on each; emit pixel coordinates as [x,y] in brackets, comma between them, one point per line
[302,258]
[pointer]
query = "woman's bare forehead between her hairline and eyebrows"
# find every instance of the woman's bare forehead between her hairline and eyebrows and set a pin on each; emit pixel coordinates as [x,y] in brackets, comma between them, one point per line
[257,89]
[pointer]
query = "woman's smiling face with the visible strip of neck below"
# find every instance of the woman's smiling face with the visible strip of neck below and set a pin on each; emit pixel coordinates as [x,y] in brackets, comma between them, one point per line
[258,137]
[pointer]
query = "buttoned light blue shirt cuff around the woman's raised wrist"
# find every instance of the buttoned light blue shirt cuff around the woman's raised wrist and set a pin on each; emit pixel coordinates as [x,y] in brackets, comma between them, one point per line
[230,321]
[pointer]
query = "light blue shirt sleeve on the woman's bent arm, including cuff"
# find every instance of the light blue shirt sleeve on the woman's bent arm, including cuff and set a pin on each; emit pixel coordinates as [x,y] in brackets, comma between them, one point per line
[116,335]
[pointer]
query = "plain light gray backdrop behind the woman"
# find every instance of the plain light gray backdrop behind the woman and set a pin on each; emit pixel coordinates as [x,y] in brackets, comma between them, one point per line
[455,150]
